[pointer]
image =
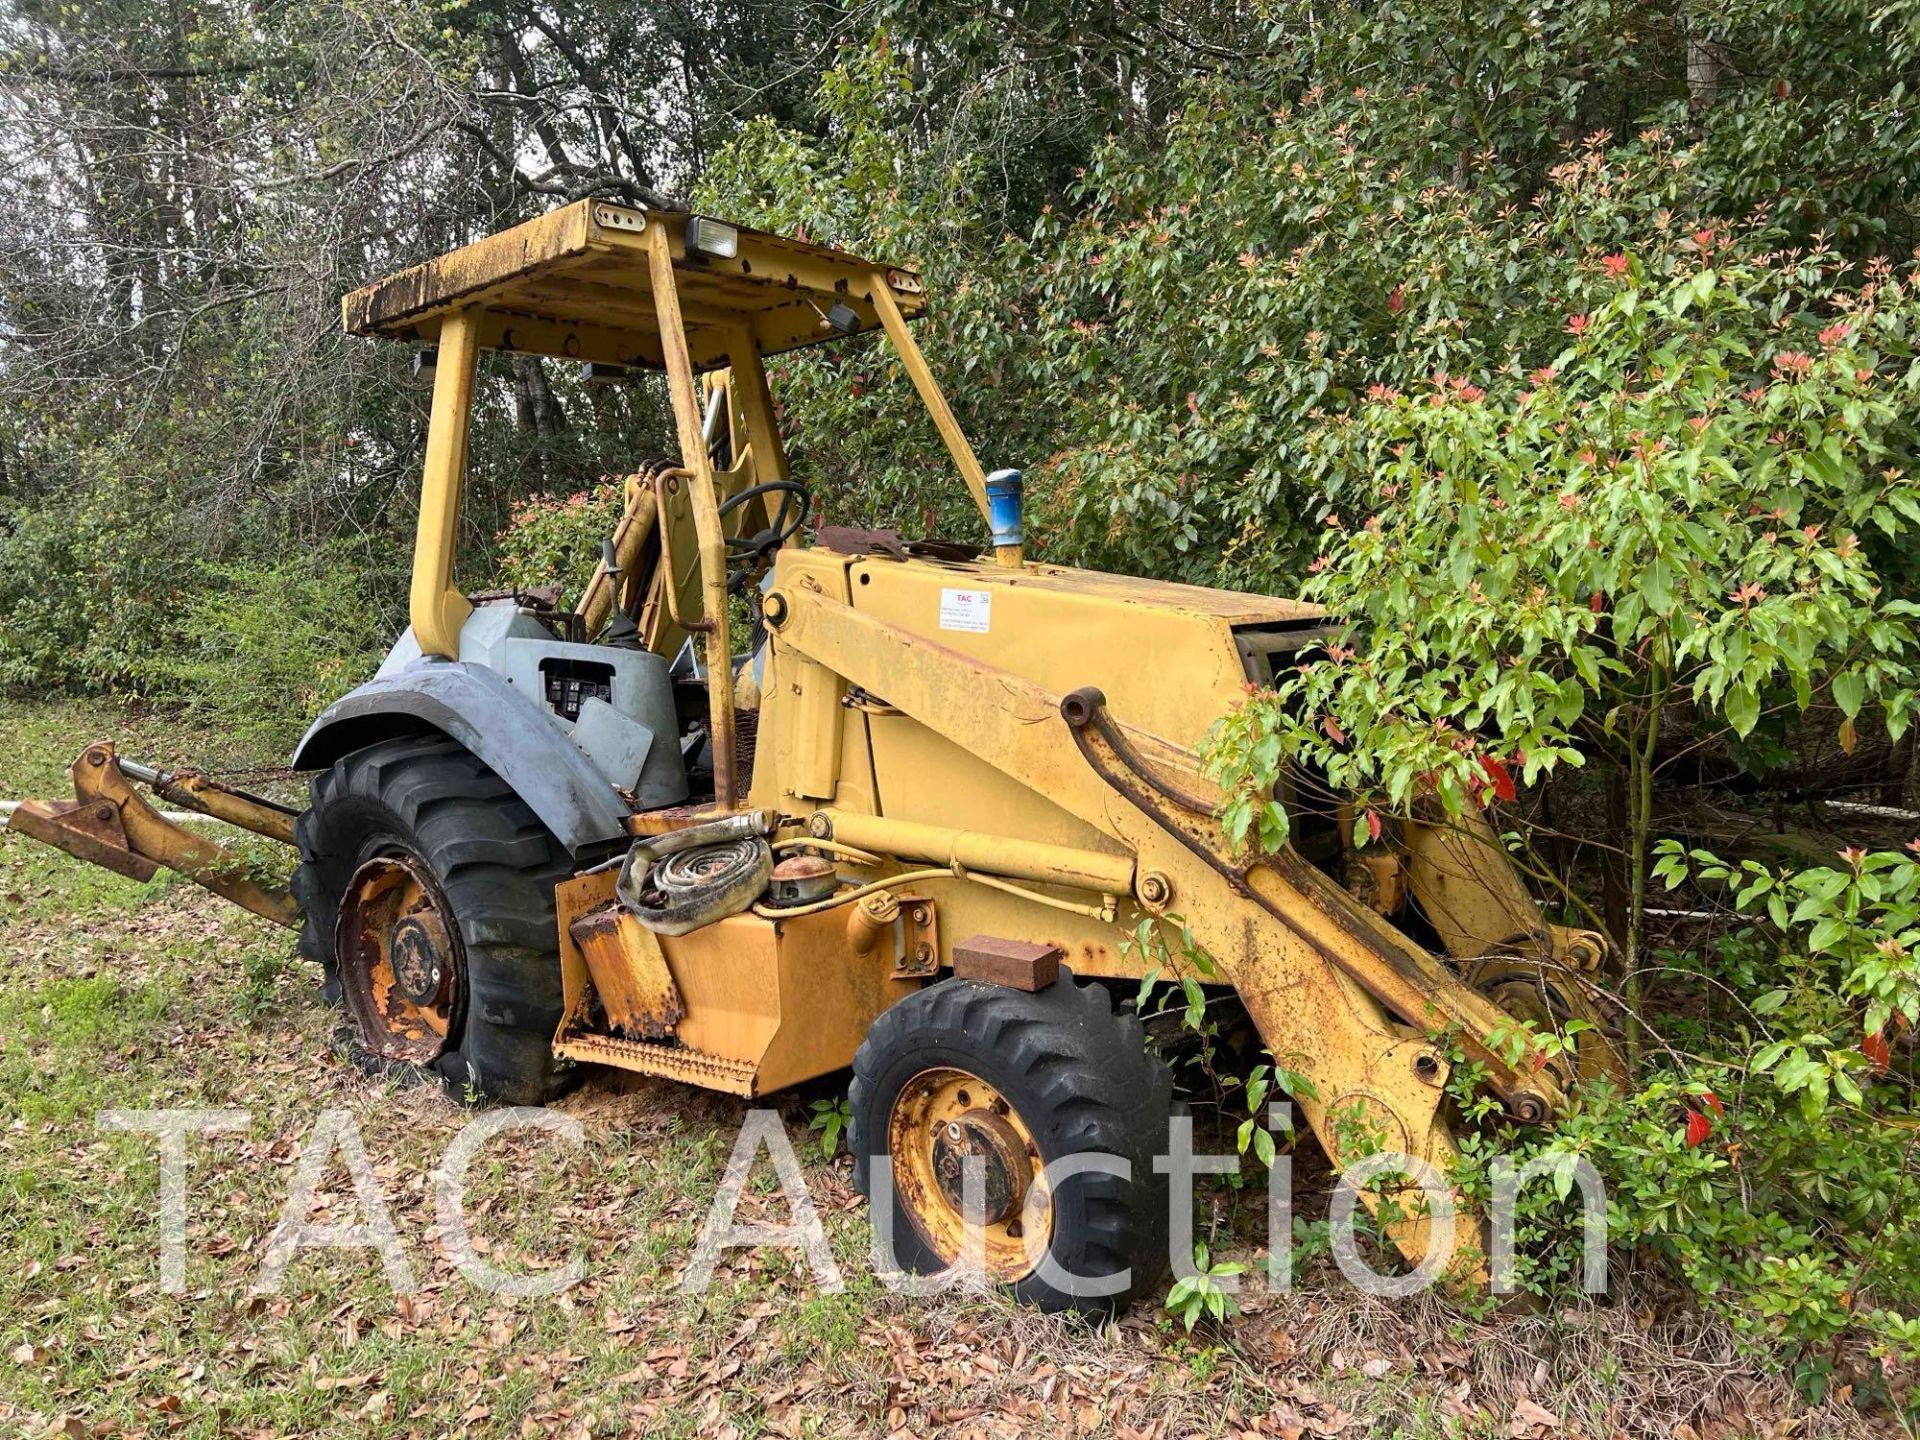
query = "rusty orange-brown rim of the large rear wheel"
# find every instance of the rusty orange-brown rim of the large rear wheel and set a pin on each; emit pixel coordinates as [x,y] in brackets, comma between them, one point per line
[400,959]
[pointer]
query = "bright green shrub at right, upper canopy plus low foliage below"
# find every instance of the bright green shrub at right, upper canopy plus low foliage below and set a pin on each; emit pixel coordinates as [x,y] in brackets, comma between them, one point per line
[1704,498]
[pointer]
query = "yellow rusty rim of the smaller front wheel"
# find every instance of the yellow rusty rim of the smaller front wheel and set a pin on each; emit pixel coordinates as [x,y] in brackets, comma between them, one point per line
[942,1120]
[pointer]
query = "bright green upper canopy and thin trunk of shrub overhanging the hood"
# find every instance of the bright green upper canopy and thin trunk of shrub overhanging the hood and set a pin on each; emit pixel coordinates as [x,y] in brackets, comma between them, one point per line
[1702,498]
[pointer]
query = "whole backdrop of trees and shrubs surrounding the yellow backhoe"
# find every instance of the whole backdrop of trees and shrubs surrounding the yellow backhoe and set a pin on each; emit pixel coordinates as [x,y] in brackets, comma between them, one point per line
[1280,297]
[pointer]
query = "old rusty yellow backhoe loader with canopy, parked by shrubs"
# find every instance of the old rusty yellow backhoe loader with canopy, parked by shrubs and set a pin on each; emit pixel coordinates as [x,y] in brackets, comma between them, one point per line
[759,809]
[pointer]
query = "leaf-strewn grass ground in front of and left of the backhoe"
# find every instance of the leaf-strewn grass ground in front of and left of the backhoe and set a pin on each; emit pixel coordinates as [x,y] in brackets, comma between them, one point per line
[128,996]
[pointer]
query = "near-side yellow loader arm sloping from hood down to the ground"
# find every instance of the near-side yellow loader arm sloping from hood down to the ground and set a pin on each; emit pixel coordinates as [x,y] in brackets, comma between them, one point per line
[1322,976]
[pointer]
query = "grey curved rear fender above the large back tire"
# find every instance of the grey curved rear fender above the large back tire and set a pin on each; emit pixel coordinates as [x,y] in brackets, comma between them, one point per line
[508,731]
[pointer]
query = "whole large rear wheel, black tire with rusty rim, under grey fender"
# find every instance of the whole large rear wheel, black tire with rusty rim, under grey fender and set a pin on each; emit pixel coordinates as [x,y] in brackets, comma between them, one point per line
[425,821]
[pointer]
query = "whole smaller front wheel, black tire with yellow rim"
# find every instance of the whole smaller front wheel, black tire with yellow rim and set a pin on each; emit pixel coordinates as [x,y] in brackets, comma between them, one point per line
[1019,1082]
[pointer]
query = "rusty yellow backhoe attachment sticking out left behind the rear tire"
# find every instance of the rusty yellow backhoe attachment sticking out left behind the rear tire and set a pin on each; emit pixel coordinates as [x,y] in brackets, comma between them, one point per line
[108,825]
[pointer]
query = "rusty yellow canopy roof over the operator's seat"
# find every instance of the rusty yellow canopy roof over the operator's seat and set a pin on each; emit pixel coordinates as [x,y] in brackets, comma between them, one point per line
[577,285]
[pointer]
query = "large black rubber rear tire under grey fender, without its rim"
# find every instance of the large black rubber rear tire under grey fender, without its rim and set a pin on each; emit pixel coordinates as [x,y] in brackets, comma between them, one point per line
[431,802]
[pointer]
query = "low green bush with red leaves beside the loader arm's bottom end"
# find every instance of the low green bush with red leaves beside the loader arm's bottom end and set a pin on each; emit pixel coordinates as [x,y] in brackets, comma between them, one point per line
[1767,1159]
